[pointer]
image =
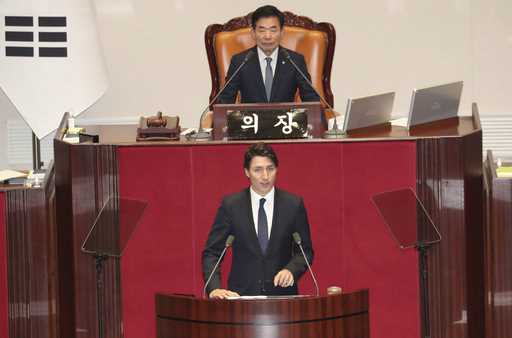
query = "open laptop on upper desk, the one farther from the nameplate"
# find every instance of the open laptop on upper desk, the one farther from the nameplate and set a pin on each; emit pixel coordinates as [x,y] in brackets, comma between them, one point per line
[434,103]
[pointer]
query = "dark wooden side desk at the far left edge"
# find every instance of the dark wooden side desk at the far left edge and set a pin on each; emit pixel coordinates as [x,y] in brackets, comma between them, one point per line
[31,257]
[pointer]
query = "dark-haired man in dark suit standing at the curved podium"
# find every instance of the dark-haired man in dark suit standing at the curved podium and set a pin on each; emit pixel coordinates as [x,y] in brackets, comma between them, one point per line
[266,261]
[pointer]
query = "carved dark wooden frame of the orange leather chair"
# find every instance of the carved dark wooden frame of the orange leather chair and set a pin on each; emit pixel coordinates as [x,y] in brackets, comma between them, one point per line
[291,20]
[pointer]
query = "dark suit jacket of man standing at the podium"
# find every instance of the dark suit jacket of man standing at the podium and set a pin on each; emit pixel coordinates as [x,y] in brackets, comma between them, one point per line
[252,272]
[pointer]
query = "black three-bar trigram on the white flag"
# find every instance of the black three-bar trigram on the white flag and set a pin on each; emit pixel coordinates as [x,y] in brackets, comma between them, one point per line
[16,31]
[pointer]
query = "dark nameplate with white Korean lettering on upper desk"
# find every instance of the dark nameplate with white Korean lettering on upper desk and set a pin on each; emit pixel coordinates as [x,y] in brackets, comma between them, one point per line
[267,124]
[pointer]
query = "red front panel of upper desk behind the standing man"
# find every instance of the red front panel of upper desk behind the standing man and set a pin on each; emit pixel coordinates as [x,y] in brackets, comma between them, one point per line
[353,249]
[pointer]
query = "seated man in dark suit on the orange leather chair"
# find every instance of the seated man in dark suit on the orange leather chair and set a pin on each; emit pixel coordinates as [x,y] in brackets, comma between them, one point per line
[268,76]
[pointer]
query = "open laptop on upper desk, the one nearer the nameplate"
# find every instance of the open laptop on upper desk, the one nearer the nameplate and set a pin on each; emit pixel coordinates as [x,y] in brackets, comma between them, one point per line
[368,111]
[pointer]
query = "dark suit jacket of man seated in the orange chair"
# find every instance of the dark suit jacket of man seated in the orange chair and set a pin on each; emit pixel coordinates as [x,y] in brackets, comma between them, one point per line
[249,80]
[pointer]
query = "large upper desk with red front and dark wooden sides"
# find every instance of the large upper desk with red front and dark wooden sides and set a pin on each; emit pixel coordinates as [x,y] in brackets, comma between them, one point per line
[184,182]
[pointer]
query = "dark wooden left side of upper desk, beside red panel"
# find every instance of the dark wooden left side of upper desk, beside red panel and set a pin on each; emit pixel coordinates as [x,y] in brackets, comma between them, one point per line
[84,171]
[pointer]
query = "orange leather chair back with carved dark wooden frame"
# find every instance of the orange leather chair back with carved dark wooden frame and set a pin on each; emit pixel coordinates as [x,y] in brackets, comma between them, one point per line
[316,41]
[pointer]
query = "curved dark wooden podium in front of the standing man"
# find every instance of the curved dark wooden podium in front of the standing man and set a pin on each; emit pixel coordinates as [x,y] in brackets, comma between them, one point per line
[336,316]
